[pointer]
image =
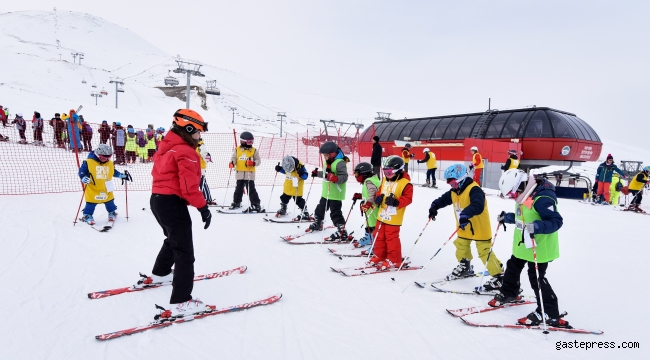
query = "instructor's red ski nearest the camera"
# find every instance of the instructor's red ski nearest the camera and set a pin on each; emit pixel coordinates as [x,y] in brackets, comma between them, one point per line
[167,322]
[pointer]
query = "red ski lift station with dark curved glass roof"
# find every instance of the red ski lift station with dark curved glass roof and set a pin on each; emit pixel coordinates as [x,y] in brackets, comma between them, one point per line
[542,136]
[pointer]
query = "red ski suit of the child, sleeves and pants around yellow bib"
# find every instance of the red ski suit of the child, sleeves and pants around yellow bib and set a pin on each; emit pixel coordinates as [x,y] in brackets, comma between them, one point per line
[387,242]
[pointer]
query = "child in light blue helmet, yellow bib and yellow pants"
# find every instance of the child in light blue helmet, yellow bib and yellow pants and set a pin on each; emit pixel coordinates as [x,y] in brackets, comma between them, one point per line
[473,219]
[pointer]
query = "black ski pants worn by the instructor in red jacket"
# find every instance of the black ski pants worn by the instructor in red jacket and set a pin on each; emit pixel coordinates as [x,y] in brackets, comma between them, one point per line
[178,249]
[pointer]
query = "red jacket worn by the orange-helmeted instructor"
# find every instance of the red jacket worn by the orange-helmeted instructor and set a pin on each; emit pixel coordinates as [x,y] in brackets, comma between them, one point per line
[177,171]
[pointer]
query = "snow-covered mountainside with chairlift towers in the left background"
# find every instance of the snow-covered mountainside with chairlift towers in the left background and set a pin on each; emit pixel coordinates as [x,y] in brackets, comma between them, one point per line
[32,78]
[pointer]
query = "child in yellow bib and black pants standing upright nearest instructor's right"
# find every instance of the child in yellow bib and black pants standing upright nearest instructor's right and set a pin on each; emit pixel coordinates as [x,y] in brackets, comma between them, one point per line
[245,159]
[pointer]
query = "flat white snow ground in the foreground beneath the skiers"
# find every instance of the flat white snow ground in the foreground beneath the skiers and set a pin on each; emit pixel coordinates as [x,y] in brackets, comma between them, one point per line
[49,266]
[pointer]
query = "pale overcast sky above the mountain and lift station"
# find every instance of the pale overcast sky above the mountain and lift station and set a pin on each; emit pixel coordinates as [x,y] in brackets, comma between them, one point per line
[588,57]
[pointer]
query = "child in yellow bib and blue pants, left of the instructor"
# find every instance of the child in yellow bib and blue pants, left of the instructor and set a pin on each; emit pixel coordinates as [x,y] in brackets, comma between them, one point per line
[96,172]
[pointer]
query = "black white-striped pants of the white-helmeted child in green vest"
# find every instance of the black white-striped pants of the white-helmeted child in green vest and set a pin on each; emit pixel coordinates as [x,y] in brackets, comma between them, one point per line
[511,284]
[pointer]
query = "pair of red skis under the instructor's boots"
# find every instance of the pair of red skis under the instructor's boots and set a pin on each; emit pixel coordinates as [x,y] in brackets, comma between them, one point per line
[165,322]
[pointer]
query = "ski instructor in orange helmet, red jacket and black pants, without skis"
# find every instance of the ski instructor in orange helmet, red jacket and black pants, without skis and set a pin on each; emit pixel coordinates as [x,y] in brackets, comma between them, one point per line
[176,177]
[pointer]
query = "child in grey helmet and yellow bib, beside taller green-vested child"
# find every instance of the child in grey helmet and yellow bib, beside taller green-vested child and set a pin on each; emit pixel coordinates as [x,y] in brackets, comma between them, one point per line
[293,186]
